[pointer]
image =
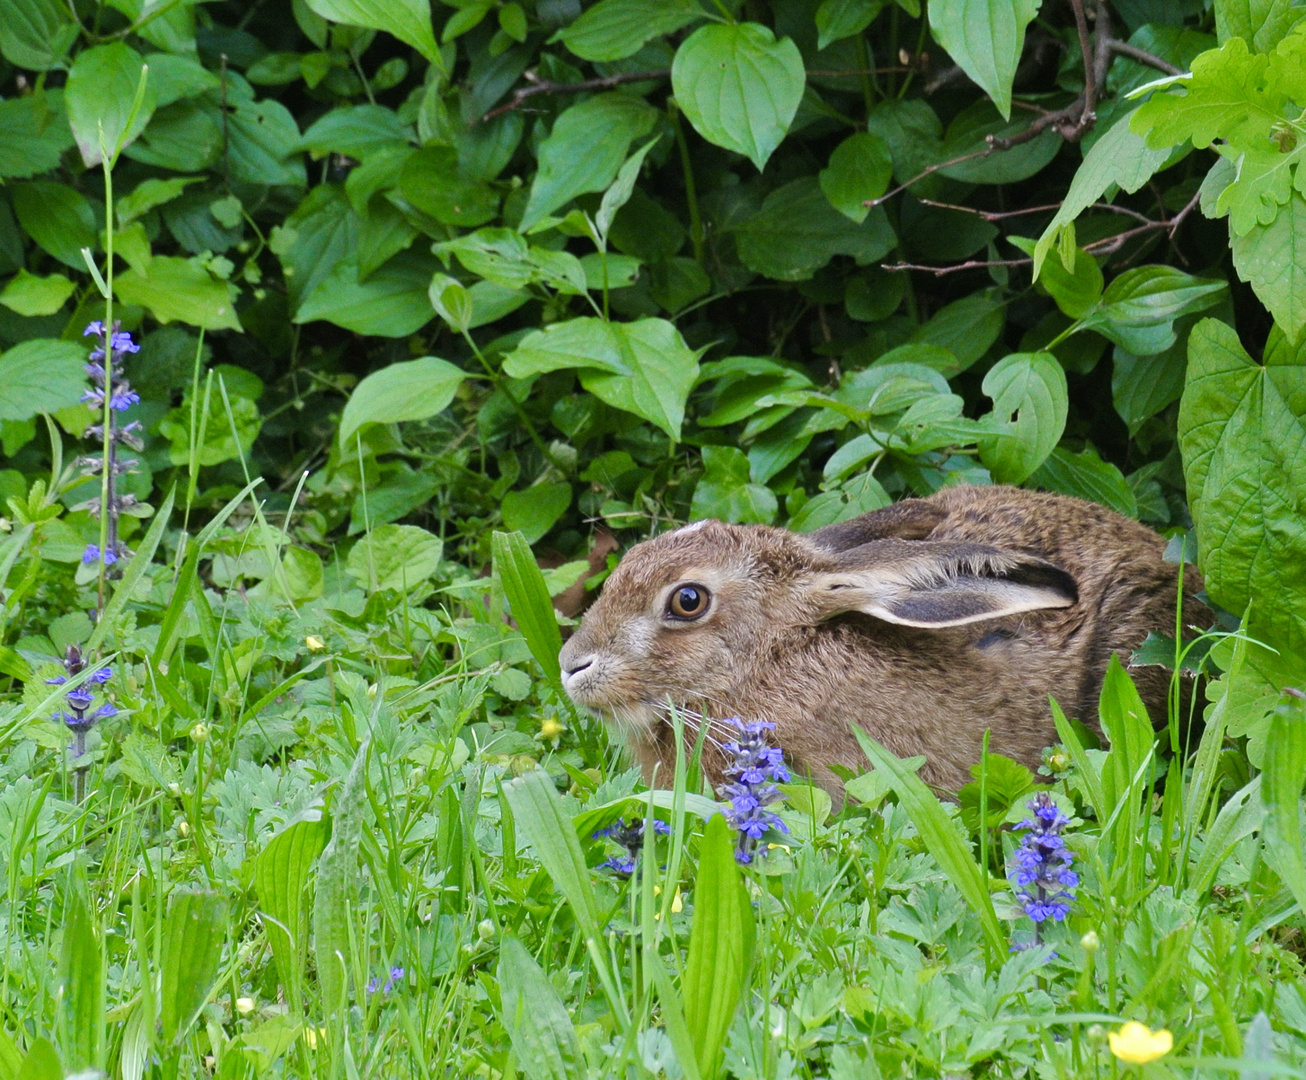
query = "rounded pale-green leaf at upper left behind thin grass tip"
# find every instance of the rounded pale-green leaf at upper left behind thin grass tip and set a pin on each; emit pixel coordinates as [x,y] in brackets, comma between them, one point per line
[103,97]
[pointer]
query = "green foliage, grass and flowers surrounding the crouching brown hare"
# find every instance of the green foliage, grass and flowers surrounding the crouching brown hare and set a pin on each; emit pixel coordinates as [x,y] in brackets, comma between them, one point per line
[415,297]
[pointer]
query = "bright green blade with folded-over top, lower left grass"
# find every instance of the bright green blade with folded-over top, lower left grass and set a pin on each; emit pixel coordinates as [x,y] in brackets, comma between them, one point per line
[281,880]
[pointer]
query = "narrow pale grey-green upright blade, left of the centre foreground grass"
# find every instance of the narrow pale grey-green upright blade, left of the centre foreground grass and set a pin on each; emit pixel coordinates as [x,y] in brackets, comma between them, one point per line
[336,895]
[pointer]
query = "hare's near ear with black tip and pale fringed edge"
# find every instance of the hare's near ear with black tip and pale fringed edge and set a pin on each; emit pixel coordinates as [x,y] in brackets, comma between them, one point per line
[937,584]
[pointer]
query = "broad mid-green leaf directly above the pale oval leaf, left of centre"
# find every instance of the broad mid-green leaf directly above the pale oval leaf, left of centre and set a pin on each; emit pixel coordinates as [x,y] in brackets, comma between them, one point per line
[392,302]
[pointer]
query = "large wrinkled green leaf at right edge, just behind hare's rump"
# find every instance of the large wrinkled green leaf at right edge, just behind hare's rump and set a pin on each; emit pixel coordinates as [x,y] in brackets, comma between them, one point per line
[1243,433]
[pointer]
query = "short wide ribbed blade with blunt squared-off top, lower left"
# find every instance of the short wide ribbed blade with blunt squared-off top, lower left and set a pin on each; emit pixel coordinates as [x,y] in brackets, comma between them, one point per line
[194,933]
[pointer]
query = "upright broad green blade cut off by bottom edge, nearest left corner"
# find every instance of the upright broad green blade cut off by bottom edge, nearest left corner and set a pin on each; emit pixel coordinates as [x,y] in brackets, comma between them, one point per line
[82,988]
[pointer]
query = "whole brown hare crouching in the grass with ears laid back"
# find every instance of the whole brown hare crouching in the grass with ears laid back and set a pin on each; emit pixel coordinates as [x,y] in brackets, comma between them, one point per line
[924,624]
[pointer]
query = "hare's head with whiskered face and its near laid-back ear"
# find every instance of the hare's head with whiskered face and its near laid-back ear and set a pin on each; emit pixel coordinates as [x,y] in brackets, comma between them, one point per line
[702,614]
